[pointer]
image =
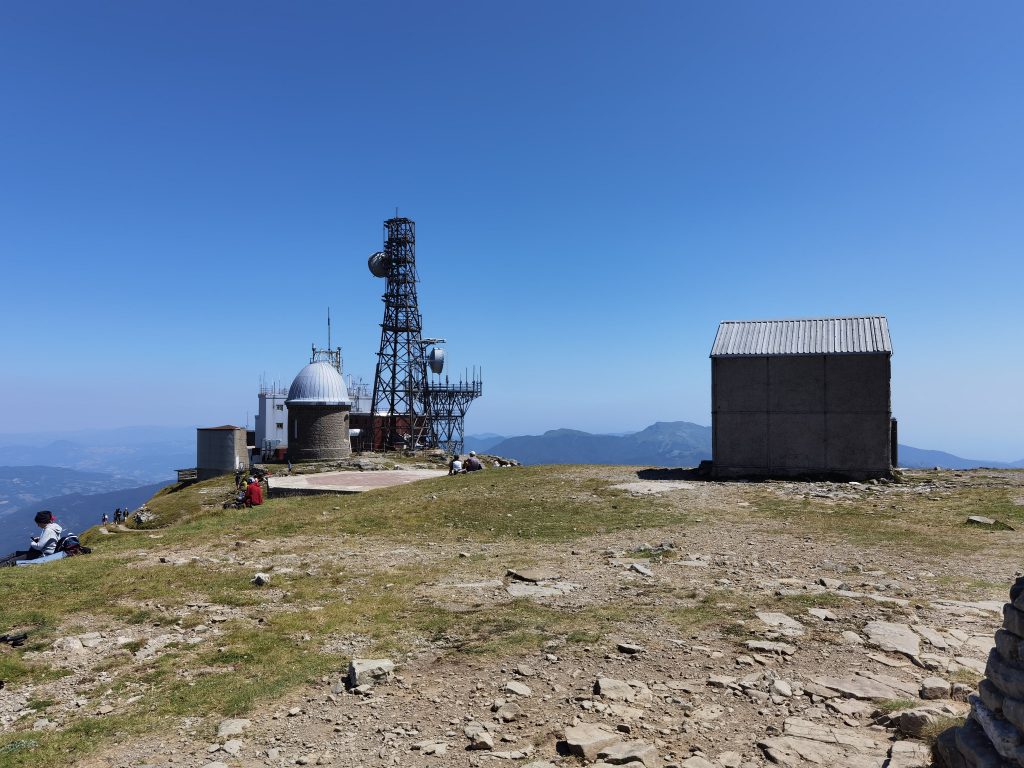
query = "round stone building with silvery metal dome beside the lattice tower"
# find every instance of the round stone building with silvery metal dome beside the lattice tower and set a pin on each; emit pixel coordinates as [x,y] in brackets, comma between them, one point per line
[318,415]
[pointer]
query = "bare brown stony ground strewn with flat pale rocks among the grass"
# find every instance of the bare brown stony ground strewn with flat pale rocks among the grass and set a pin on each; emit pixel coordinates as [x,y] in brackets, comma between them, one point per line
[738,644]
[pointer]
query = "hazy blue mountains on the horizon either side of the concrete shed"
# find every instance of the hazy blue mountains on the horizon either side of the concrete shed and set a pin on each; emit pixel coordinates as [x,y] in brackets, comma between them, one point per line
[665,444]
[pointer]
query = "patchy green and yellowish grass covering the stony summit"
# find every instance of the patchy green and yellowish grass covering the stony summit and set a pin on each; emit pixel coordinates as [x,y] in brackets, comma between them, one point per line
[261,661]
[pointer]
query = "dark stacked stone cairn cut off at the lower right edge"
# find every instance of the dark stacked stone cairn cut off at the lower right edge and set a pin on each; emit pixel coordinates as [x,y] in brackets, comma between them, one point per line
[994,734]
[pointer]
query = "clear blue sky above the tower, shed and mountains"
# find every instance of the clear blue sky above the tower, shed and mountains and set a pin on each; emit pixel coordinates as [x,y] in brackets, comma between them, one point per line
[186,188]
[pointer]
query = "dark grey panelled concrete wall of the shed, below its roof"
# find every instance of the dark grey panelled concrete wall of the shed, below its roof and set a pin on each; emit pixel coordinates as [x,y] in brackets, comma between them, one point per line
[801,415]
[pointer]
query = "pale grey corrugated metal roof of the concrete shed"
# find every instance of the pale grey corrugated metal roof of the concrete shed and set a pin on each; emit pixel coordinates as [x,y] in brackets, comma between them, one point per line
[815,336]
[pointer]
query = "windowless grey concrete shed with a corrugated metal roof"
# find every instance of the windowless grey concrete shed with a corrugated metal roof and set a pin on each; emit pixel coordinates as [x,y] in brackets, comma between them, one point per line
[802,398]
